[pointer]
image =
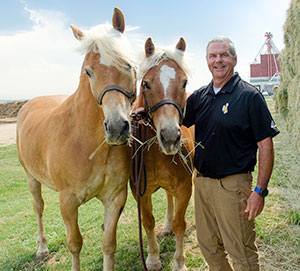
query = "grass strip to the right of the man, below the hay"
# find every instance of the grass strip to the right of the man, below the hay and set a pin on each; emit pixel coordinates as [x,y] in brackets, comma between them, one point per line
[277,227]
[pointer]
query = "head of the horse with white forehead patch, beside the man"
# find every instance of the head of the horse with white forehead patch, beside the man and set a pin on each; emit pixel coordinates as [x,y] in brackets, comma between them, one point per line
[163,88]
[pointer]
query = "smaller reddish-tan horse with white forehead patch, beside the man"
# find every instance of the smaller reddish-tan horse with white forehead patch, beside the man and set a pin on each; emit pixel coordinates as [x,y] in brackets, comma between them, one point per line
[163,95]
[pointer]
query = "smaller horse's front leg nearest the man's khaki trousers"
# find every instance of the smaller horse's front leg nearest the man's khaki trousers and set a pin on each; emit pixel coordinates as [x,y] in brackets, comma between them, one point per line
[182,198]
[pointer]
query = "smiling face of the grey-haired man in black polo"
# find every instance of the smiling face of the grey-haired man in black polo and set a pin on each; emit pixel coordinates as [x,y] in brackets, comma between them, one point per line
[220,61]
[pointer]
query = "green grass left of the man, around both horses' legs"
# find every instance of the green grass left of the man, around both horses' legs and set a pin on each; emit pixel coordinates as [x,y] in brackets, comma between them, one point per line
[18,229]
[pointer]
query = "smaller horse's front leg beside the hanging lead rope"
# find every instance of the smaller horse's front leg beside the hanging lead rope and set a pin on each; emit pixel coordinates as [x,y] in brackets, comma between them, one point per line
[153,261]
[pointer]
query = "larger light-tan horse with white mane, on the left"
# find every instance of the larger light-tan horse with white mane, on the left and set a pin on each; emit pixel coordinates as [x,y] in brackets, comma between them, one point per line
[56,136]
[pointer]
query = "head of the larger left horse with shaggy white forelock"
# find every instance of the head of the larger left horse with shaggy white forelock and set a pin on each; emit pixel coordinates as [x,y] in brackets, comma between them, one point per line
[109,73]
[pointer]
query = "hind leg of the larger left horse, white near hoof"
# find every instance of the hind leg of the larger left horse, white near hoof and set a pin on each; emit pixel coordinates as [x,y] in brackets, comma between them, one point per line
[38,206]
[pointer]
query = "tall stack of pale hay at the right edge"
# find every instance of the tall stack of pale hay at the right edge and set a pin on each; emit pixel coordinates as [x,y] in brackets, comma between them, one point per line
[288,93]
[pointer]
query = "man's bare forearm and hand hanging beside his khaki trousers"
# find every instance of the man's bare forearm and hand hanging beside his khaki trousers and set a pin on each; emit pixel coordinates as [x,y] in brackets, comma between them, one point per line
[255,203]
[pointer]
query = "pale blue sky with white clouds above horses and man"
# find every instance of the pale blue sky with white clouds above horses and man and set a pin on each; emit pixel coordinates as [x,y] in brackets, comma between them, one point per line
[38,50]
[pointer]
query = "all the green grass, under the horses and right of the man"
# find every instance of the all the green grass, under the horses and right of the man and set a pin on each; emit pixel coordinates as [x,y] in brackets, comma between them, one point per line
[278,229]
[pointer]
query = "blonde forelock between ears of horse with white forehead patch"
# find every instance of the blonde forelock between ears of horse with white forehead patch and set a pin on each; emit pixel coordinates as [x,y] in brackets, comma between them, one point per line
[159,55]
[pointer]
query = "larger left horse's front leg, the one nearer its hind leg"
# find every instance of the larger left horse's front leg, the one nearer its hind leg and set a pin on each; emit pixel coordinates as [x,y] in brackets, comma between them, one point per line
[69,205]
